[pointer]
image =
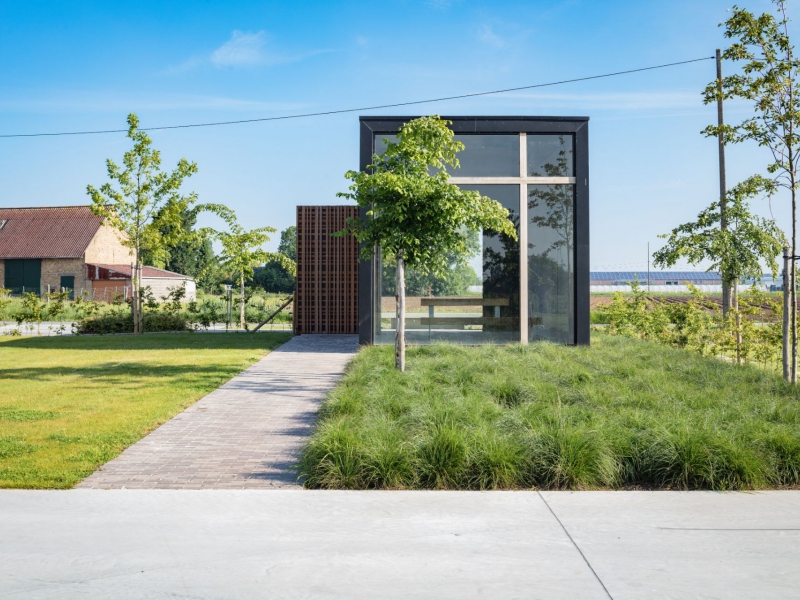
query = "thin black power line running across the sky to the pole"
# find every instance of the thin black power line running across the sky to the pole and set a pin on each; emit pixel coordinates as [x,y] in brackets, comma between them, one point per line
[349,110]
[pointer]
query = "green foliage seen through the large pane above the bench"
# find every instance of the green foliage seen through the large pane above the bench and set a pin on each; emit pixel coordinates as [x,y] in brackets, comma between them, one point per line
[458,276]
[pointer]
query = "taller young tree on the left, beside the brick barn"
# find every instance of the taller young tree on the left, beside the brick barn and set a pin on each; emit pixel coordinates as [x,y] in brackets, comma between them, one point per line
[146,208]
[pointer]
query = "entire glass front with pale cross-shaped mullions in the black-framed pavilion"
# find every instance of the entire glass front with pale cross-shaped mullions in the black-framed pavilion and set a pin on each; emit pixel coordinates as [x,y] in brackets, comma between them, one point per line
[487,297]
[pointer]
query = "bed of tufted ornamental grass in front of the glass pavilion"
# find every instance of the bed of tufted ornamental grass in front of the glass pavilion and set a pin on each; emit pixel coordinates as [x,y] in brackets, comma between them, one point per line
[621,414]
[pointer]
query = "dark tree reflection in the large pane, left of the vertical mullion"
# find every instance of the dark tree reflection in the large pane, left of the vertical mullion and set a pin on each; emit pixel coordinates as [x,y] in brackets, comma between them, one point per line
[501,271]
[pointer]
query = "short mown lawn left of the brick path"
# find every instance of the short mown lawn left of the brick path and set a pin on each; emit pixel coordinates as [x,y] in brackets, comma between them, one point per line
[70,404]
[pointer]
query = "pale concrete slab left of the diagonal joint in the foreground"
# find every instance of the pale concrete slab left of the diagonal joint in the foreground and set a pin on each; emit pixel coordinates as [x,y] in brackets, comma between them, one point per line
[285,544]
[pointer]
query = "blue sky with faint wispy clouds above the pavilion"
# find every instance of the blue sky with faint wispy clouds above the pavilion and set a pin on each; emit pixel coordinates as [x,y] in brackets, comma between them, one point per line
[86,65]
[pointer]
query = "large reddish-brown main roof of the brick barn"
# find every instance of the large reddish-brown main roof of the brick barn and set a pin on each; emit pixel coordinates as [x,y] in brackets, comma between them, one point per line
[47,232]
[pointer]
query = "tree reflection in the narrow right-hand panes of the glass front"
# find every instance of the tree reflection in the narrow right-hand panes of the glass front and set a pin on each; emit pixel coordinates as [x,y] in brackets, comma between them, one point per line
[551,209]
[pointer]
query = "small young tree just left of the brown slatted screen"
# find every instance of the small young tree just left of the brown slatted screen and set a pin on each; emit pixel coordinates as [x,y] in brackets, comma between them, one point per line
[242,251]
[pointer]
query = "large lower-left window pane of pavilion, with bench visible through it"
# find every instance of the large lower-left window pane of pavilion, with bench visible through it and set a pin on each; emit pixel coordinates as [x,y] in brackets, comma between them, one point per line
[476,302]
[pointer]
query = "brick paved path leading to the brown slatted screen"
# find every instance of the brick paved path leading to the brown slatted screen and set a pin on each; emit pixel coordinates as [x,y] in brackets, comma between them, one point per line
[246,434]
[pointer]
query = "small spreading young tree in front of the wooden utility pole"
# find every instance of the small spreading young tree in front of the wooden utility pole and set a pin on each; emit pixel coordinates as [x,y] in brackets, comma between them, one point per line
[736,251]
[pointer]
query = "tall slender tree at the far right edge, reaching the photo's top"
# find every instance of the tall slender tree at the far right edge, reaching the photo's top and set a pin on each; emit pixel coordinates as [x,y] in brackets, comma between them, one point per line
[767,79]
